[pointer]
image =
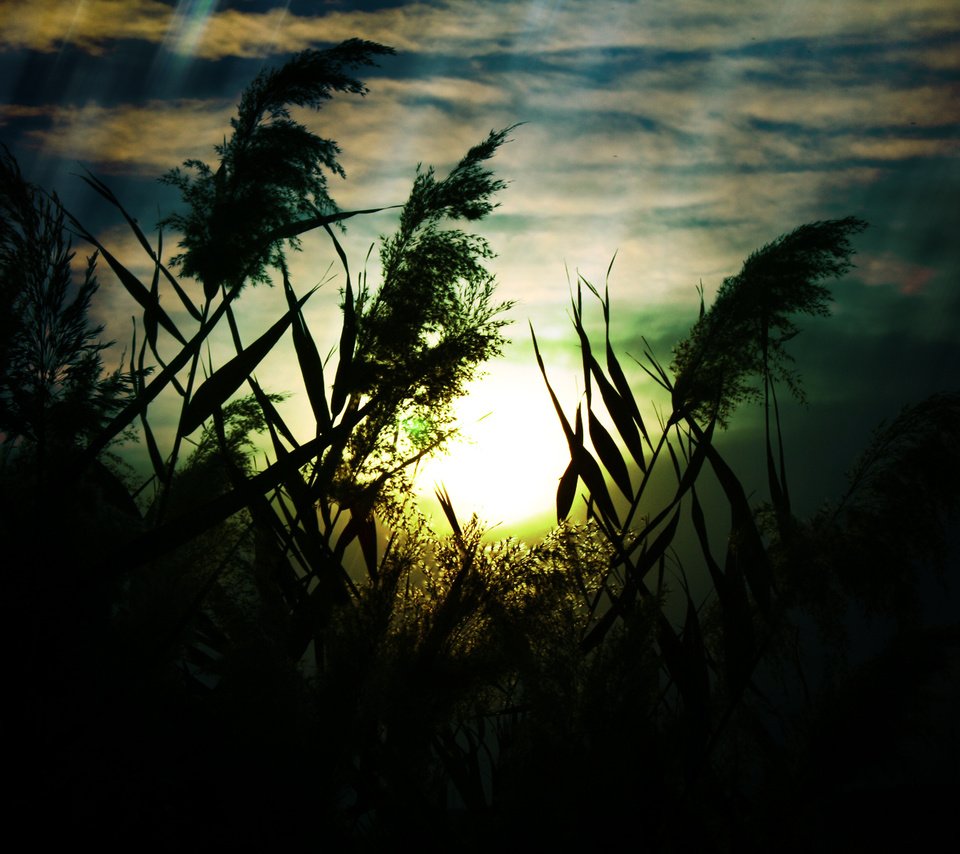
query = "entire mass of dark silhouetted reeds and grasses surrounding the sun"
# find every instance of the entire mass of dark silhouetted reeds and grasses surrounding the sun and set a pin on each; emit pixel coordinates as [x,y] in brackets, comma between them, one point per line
[233,655]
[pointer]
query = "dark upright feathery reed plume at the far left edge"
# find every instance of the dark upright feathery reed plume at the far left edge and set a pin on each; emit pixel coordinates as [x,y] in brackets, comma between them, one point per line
[54,391]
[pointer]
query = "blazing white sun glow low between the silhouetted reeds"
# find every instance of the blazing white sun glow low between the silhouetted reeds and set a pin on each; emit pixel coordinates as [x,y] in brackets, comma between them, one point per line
[506,465]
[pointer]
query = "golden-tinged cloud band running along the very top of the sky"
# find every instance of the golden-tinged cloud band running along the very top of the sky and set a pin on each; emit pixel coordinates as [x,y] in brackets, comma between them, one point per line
[461,27]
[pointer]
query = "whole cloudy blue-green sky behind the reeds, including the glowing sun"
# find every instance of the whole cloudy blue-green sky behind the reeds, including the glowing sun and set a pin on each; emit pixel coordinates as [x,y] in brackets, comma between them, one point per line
[675,137]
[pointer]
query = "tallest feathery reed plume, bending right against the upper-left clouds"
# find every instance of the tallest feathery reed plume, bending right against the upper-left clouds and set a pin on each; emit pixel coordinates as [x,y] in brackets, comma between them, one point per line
[271,184]
